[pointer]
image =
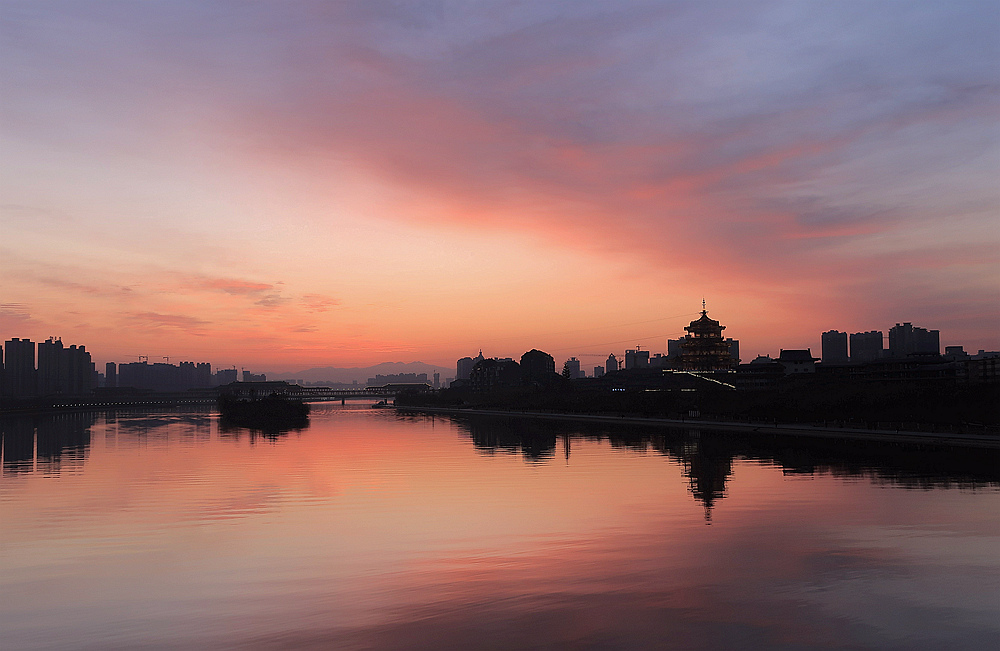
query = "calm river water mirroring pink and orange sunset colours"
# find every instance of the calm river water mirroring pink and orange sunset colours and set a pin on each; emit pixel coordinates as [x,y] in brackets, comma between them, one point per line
[372,530]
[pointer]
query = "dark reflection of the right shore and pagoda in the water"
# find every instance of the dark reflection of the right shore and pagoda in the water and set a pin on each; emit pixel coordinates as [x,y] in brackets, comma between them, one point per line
[707,457]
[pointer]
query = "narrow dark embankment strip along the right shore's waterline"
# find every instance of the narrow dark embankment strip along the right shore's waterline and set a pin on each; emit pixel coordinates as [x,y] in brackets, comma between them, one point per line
[988,441]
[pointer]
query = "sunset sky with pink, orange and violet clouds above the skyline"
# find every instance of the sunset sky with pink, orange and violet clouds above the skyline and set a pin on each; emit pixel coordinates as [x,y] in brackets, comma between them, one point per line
[282,185]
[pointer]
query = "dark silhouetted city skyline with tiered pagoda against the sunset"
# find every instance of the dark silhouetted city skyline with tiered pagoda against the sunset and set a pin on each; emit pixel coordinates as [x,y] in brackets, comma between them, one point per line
[69,369]
